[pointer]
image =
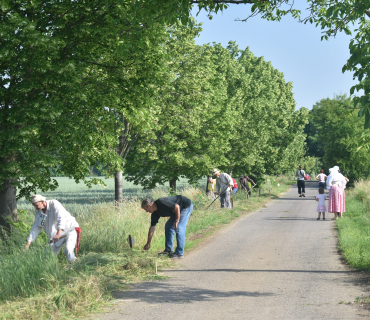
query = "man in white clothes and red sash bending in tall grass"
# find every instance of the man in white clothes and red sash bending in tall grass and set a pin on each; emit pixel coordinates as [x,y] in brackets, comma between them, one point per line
[57,223]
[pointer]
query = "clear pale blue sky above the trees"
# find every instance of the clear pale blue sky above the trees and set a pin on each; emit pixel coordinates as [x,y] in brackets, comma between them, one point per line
[295,49]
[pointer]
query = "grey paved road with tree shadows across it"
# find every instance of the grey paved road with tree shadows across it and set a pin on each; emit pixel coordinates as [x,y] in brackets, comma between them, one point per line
[276,263]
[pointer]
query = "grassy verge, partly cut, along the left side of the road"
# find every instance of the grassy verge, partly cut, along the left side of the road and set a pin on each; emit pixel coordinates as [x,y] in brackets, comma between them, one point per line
[35,284]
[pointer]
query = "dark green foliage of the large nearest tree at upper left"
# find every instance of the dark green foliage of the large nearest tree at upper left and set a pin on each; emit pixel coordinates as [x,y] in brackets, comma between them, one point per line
[64,66]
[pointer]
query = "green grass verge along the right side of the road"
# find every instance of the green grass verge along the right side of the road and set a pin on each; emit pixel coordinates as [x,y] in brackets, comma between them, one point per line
[354,227]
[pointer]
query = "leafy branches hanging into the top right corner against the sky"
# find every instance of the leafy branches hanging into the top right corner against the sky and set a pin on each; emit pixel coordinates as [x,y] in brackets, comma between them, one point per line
[332,17]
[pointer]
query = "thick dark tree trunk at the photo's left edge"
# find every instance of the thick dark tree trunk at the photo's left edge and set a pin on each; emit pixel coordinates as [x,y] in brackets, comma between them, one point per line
[8,203]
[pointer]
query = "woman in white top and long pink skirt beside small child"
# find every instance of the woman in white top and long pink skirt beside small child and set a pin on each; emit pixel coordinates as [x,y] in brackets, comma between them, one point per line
[336,183]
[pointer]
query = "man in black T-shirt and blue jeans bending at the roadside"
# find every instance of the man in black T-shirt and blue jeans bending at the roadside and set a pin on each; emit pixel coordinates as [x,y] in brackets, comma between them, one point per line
[179,209]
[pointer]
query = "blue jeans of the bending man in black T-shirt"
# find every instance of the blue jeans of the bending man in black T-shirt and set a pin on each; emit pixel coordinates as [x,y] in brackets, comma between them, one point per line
[180,231]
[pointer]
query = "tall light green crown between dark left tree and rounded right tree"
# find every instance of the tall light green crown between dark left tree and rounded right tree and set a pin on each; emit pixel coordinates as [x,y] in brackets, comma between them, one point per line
[192,120]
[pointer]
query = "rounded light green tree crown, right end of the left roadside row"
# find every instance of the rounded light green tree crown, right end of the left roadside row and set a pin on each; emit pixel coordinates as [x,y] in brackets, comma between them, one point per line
[264,107]
